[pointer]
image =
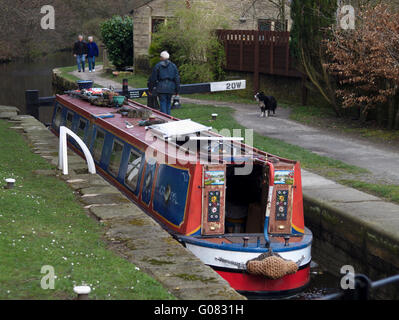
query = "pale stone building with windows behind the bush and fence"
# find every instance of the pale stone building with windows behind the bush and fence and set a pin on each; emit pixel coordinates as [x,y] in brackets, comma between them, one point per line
[243,15]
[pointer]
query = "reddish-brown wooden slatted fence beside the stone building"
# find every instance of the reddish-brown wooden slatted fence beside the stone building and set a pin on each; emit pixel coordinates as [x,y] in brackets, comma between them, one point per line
[266,52]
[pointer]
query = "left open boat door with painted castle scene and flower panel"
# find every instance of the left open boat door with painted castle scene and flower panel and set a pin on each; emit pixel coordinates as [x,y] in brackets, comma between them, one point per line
[213,199]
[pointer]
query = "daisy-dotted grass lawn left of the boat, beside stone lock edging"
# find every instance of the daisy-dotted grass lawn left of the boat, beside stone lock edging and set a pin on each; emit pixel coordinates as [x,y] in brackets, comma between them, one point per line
[41,223]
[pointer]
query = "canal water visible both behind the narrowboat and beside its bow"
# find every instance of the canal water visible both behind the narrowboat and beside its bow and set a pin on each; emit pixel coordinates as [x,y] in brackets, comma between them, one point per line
[18,76]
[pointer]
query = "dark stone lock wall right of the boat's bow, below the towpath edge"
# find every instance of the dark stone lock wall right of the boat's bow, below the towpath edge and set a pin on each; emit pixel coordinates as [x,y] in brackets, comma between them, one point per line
[341,239]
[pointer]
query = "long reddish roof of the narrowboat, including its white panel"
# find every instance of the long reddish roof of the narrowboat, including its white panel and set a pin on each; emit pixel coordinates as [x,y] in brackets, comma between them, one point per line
[171,128]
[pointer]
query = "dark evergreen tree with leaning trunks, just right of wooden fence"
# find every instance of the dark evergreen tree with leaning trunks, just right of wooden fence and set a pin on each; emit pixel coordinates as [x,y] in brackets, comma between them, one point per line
[311,22]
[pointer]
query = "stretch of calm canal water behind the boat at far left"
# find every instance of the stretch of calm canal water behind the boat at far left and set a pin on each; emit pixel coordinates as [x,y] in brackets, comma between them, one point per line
[18,76]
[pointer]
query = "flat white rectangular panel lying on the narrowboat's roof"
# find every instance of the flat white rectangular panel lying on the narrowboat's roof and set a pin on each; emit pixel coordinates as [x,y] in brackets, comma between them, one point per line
[178,128]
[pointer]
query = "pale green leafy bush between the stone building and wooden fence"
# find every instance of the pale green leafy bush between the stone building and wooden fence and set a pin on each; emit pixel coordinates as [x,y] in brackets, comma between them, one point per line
[191,40]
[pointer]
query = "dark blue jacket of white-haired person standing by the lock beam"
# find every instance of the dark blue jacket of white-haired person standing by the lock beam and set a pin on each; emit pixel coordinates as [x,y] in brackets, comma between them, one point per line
[165,78]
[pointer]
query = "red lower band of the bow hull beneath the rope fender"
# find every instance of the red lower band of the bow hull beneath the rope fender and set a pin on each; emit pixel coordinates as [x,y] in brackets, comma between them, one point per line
[249,282]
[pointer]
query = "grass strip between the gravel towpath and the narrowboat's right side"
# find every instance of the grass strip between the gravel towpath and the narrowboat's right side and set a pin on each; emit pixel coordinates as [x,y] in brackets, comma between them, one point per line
[322,165]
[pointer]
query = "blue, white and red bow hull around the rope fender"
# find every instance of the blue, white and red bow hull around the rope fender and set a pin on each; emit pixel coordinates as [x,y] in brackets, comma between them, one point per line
[229,261]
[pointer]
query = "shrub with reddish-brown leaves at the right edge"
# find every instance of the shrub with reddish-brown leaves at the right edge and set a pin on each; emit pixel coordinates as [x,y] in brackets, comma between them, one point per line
[366,62]
